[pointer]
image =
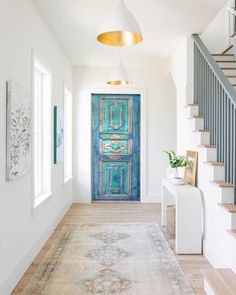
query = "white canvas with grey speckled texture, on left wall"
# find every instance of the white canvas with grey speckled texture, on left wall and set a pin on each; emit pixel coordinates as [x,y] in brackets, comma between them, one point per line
[18,131]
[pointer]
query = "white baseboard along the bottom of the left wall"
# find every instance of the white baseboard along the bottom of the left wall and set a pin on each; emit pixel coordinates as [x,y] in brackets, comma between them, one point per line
[23,263]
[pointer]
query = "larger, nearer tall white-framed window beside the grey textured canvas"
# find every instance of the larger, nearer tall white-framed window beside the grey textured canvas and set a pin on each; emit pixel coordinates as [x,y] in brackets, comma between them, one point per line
[42,133]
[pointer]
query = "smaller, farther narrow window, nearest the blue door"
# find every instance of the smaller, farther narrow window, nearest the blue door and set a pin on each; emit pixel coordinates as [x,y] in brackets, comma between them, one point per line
[67,135]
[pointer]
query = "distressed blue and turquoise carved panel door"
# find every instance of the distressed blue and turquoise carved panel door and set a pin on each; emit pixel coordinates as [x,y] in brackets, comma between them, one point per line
[115,143]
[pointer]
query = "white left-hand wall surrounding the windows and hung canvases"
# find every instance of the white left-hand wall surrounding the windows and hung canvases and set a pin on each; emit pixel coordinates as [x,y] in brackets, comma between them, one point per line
[23,231]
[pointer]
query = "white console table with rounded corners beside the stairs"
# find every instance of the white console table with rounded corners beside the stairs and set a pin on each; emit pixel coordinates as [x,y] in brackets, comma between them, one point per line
[188,201]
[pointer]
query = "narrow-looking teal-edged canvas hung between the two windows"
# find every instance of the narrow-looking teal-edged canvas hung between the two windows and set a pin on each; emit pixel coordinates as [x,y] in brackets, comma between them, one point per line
[58,135]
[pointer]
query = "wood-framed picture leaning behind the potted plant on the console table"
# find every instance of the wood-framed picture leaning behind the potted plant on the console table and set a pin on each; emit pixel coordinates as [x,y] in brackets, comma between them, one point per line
[191,168]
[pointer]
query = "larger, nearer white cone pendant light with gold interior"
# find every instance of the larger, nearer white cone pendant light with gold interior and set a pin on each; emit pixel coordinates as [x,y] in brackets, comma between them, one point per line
[120,28]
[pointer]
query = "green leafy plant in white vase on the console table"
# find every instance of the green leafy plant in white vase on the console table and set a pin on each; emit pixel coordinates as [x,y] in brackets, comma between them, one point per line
[176,162]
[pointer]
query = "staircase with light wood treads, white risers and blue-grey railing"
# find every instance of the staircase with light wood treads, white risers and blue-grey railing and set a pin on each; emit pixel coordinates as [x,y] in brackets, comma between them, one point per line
[212,118]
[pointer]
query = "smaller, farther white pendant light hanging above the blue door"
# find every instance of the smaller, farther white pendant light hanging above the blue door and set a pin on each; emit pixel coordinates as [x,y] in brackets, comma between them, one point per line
[119,76]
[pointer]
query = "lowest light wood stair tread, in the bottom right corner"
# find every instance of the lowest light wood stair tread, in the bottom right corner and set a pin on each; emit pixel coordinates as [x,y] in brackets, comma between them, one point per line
[217,283]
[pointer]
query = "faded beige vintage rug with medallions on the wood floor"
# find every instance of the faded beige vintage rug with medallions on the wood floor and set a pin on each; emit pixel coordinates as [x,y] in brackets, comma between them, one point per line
[120,259]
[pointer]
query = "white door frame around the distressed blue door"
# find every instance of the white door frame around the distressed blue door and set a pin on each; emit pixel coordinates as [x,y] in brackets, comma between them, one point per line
[143,131]
